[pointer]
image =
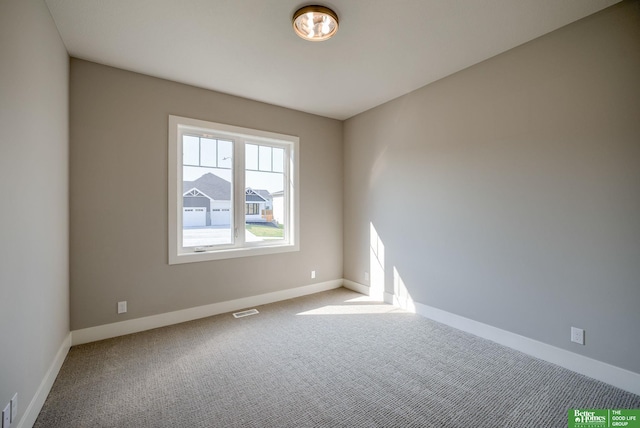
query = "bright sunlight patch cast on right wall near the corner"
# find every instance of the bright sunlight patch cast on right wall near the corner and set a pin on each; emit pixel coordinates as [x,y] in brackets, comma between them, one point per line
[378,290]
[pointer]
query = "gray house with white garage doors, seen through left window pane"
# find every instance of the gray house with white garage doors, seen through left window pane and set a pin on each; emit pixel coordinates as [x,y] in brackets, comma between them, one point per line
[206,202]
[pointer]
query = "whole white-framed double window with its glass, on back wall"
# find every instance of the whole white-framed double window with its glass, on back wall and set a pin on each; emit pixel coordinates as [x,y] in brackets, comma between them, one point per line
[232,191]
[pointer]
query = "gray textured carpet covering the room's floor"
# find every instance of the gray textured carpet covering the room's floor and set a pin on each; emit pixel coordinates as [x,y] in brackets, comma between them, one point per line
[331,359]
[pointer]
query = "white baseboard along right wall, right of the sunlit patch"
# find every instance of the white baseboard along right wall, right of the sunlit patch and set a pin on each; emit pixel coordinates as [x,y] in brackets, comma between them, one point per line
[616,376]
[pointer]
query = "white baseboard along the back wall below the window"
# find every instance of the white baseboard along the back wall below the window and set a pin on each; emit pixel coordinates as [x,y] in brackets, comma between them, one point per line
[107,331]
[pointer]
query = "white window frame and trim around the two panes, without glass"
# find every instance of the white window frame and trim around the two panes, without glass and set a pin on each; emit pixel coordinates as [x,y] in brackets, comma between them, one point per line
[241,136]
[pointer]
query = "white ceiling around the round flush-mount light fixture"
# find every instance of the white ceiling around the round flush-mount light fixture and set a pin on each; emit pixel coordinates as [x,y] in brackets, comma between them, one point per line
[383,49]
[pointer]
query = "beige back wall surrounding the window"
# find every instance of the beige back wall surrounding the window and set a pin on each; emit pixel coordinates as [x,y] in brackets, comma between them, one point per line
[118,188]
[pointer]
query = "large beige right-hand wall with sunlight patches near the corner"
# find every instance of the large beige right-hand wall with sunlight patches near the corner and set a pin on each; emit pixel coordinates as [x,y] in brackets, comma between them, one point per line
[509,193]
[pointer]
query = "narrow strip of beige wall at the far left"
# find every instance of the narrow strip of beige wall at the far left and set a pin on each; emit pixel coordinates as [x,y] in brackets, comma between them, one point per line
[34,268]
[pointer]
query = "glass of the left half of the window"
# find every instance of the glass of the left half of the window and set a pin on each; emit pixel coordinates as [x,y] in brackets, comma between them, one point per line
[207,213]
